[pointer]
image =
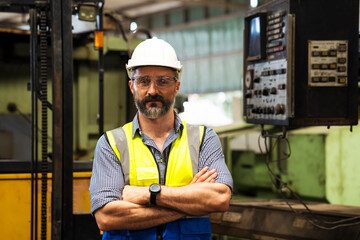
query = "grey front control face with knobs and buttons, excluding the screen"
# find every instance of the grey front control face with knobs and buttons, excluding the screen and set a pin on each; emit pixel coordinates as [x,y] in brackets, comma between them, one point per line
[267,82]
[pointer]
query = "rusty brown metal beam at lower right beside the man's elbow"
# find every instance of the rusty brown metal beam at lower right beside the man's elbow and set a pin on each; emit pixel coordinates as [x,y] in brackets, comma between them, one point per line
[276,220]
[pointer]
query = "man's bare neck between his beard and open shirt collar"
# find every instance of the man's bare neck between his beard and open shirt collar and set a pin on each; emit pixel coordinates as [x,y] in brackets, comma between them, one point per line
[159,127]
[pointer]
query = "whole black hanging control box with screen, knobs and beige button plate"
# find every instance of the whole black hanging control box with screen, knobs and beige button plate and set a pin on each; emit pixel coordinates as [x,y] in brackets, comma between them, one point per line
[301,63]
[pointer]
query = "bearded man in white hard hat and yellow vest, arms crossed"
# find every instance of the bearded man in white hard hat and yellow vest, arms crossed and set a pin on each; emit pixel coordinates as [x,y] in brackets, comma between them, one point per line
[156,177]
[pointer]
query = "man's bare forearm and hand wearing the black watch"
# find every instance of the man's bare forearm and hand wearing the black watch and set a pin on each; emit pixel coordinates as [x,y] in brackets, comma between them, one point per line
[199,198]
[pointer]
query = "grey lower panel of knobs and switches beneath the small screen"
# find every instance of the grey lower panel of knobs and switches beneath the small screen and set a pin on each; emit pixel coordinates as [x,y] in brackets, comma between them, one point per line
[267,90]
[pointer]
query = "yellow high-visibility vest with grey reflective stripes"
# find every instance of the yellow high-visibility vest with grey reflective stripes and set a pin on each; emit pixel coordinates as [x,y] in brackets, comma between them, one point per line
[139,166]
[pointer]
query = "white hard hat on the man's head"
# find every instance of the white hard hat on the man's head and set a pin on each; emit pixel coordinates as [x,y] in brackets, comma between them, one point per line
[154,52]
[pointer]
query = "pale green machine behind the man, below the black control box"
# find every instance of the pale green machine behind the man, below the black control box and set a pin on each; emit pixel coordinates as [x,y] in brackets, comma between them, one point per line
[317,163]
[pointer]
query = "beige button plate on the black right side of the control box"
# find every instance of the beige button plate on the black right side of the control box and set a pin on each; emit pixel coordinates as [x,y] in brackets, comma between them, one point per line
[328,63]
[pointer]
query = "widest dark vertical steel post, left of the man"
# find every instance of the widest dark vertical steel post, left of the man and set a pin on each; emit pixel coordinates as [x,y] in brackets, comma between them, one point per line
[61,34]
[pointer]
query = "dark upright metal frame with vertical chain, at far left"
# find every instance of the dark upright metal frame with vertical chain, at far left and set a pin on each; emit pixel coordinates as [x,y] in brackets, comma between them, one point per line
[62,67]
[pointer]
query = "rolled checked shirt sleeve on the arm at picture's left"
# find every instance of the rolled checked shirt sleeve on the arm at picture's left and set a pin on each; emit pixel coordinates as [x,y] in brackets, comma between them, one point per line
[107,180]
